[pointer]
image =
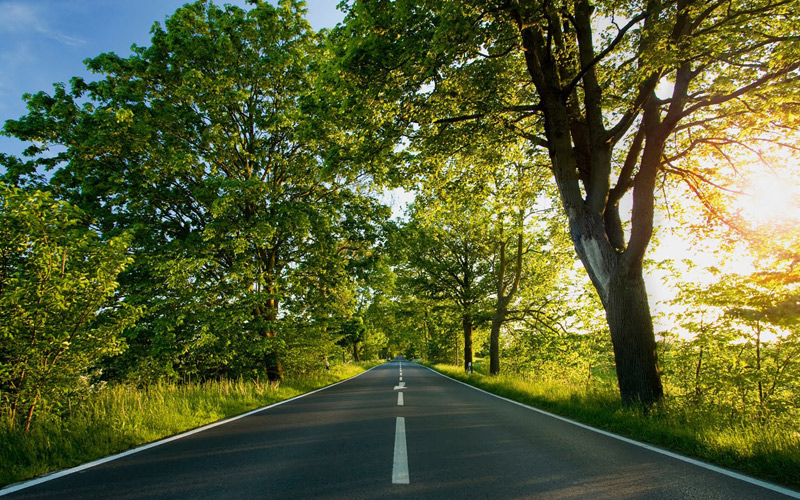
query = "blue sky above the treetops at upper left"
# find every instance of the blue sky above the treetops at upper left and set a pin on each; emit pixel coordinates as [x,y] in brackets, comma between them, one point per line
[46,41]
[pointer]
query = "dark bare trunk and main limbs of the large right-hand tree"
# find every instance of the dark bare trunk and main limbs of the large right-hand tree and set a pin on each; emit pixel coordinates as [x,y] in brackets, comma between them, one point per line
[580,149]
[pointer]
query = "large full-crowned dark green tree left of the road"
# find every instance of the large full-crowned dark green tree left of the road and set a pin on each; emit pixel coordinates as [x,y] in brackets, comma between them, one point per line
[211,145]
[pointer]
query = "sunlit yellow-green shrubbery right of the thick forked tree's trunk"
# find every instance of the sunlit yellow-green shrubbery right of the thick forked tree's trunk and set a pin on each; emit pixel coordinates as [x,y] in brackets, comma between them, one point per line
[744,349]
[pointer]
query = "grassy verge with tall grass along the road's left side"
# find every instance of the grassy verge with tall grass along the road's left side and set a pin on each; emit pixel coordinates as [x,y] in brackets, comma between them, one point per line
[121,417]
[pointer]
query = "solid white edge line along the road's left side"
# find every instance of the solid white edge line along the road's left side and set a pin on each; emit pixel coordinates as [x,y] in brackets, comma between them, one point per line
[66,472]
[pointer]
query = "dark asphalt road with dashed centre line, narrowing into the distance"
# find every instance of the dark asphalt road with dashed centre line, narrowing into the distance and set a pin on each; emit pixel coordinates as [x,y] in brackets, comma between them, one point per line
[399,430]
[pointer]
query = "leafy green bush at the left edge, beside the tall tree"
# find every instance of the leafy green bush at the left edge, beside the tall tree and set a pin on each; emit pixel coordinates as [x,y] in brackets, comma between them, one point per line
[59,310]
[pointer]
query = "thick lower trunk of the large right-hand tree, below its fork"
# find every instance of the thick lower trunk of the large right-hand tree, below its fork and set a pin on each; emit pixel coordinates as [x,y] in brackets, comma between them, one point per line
[635,351]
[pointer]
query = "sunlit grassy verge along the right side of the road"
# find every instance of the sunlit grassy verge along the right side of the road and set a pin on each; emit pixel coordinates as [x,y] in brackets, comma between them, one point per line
[770,452]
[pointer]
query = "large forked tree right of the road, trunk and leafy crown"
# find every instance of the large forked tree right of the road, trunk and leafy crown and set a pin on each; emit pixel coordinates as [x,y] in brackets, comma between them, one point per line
[607,89]
